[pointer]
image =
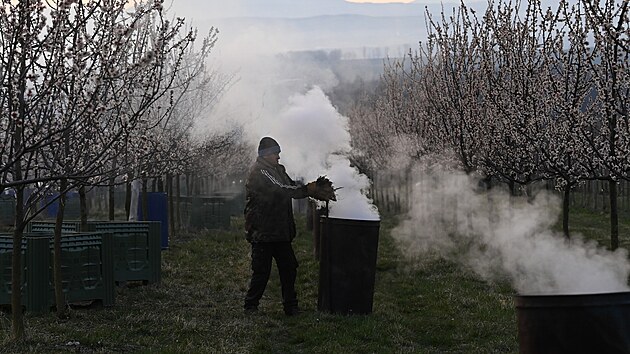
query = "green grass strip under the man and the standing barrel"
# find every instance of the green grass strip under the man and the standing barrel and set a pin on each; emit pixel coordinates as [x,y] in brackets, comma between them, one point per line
[429,307]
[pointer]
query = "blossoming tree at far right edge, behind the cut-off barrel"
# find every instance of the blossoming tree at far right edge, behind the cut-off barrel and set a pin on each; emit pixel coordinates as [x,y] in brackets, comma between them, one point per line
[608,25]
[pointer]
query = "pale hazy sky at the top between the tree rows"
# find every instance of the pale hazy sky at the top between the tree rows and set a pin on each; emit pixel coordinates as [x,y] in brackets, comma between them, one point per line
[265,27]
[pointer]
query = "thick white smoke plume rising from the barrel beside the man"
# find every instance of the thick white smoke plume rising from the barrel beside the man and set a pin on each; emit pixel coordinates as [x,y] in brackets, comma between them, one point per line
[280,93]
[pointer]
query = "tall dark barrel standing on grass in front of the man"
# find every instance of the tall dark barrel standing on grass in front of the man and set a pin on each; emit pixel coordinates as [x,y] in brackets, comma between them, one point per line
[347,264]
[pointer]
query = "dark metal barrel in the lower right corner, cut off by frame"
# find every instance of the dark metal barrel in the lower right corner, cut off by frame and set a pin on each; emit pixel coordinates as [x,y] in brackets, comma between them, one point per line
[584,323]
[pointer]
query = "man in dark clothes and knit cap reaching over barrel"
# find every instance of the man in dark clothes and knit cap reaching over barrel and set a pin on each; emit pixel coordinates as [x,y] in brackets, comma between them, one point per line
[270,225]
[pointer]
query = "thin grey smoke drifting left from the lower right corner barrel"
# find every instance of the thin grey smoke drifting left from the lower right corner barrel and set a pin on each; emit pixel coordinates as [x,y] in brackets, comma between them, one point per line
[498,236]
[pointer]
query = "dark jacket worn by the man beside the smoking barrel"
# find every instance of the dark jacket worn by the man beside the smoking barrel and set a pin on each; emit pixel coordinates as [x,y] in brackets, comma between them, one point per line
[269,207]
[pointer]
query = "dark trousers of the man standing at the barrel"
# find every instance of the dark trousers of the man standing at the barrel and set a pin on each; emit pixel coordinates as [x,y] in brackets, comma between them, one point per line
[262,254]
